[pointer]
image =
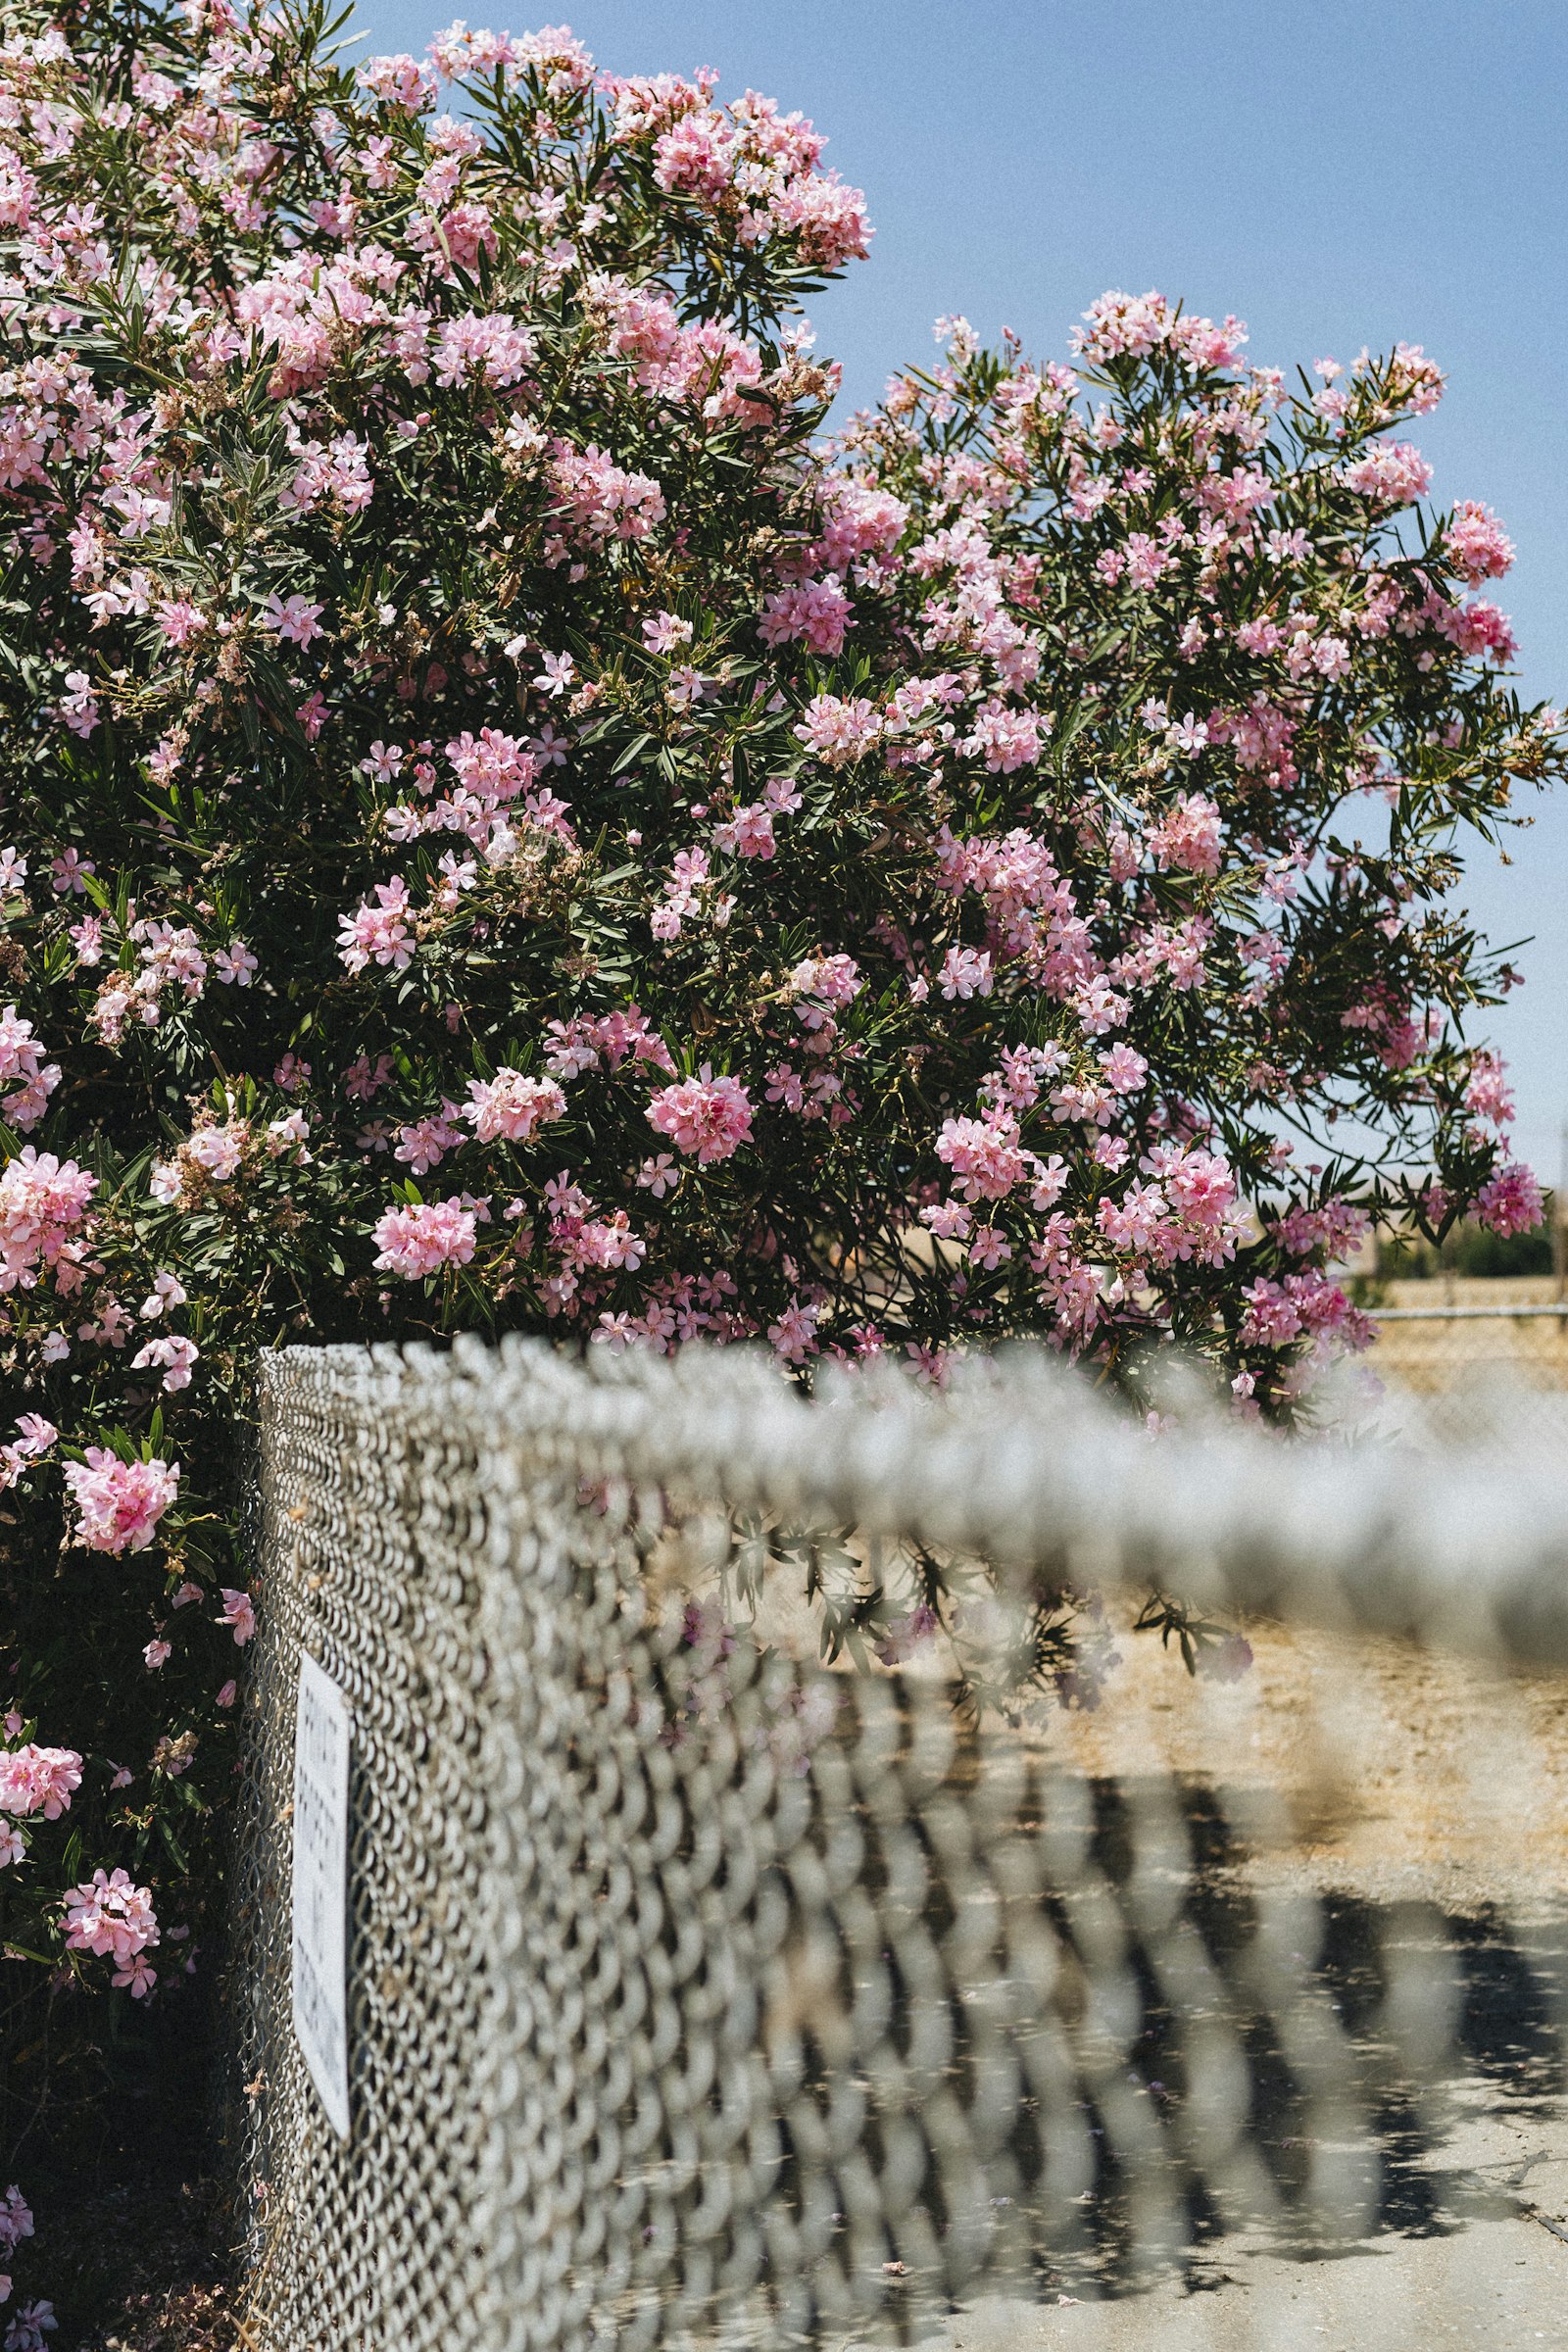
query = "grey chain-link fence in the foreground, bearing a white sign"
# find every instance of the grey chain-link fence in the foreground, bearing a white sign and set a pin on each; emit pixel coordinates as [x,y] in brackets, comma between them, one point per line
[760,1937]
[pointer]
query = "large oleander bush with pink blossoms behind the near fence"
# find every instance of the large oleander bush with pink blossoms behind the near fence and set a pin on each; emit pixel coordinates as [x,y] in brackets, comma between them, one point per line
[511,829]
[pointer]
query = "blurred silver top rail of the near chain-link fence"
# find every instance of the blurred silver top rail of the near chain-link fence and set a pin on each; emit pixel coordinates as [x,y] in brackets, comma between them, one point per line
[1019,1462]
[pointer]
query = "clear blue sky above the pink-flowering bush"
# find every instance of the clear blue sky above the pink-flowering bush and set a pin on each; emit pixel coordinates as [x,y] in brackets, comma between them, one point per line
[1339,175]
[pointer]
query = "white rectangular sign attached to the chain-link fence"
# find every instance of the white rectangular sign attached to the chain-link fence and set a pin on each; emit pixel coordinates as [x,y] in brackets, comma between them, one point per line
[321,1887]
